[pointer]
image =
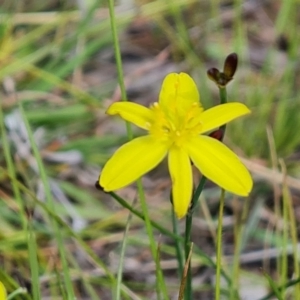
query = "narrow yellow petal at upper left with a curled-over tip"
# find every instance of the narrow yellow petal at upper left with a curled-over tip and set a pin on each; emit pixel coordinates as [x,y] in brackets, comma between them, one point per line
[132,112]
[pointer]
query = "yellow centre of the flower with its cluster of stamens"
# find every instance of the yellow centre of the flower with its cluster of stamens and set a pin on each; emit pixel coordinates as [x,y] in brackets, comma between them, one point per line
[174,126]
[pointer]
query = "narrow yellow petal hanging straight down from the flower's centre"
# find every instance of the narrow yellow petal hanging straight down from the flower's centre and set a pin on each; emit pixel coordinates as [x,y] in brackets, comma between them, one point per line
[182,180]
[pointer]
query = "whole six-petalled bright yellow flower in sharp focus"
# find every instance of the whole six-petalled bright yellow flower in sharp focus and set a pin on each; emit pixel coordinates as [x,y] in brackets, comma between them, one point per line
[175,125]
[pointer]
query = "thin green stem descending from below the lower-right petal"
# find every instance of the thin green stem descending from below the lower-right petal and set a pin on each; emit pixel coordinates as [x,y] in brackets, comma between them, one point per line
[219,247]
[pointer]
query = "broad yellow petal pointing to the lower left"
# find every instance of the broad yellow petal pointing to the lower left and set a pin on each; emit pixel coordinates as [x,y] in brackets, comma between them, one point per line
[131,161]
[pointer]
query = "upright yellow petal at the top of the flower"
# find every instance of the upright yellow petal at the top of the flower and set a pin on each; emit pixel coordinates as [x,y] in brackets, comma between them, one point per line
[178,93]
